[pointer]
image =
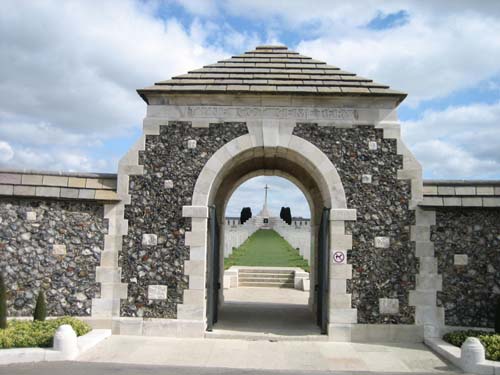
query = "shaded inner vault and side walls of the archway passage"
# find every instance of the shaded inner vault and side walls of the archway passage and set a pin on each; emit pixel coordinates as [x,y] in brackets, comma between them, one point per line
[310,179]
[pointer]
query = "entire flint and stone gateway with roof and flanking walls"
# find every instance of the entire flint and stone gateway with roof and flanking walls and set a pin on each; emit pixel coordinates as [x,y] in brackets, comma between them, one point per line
[141,251]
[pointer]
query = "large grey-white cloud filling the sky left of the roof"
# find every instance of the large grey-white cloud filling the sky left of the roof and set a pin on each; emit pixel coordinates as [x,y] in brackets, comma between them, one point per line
[69,71]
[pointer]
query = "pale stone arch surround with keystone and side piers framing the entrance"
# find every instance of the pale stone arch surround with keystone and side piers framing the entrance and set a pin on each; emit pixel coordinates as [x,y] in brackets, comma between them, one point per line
[265,147]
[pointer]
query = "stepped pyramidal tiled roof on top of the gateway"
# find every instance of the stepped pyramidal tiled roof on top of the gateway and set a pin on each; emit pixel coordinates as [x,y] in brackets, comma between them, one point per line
[272,70]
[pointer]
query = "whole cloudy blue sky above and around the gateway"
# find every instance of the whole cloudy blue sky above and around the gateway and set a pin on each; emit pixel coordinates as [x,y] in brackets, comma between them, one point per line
[69,70]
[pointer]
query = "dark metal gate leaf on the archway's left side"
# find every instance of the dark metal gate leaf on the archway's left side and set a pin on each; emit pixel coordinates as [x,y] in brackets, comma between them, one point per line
[213,270]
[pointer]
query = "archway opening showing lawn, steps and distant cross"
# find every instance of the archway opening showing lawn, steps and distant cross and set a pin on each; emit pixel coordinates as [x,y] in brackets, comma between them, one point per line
[266,250]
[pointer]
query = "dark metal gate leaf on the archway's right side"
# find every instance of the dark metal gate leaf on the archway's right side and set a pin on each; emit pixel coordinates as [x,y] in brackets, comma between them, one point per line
[322,283]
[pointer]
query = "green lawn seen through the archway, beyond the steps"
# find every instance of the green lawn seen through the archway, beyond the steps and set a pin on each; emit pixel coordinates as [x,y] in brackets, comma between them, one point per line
[266,248]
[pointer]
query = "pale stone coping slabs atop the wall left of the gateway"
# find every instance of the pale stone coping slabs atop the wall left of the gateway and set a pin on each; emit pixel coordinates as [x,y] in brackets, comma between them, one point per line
[77,186]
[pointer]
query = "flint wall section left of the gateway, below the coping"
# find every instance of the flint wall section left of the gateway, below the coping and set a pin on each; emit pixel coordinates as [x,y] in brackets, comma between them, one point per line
[32,233]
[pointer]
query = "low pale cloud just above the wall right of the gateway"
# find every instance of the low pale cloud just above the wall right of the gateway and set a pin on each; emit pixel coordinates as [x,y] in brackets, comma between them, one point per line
[458,142]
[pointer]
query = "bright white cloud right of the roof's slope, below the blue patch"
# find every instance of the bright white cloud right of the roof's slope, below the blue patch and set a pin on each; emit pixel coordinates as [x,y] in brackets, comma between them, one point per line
[424,58]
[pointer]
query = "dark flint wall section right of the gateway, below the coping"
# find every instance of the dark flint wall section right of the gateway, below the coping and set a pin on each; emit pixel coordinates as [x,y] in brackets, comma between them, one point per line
[469,290]
